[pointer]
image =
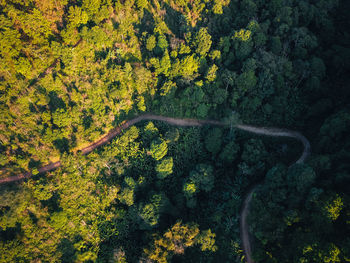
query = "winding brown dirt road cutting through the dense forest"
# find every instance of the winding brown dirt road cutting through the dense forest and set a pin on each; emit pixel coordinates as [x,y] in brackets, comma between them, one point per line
[274,132]
